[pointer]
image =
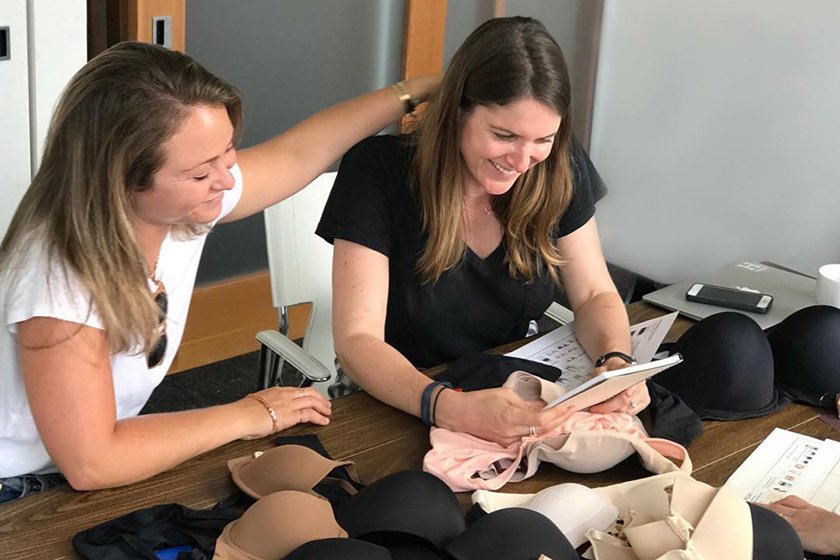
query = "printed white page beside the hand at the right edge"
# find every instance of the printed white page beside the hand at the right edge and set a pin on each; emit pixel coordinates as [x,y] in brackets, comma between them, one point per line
[784,463]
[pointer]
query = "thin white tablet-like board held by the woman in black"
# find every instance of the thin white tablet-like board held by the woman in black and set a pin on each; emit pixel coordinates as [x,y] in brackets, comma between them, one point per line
[611,383]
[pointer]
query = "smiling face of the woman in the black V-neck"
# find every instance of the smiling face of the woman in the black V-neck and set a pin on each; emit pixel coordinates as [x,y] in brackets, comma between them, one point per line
[501,142]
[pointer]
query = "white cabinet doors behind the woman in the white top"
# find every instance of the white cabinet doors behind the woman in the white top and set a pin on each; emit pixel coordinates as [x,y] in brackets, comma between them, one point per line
[47,44]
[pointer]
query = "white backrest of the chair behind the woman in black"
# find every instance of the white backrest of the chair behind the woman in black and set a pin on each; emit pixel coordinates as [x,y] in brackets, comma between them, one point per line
[300,264]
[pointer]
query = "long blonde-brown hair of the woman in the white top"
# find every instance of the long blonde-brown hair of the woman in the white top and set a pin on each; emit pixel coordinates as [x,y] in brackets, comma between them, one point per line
[105,143]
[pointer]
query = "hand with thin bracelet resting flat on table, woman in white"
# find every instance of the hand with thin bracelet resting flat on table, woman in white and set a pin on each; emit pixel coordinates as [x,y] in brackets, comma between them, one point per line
[292,406]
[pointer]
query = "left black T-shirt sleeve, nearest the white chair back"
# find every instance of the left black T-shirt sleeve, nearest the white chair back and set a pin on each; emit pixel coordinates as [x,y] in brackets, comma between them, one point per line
[360,206]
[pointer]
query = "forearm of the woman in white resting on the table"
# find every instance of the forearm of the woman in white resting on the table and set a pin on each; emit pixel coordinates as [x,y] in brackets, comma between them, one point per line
[142,446]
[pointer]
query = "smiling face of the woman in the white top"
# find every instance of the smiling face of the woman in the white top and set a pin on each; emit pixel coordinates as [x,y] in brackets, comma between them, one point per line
[188,188]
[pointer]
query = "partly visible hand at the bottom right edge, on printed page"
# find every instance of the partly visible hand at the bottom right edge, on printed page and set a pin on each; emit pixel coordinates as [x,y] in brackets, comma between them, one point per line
[818,529]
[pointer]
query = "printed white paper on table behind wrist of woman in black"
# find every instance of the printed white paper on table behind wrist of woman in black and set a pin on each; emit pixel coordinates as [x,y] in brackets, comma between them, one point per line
[560,348]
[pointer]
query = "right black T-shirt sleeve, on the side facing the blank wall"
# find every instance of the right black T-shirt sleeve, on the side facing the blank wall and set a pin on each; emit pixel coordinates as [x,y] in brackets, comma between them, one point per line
[588,187]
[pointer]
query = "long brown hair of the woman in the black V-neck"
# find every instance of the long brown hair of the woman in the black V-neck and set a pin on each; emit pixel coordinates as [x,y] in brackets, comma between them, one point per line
[503,60]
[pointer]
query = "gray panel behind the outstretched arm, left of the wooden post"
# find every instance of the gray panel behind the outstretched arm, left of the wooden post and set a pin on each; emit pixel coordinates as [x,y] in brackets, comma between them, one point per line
[289,59]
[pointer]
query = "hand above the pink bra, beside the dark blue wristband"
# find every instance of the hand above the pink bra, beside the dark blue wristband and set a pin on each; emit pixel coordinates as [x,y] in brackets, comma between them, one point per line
[497,415]
